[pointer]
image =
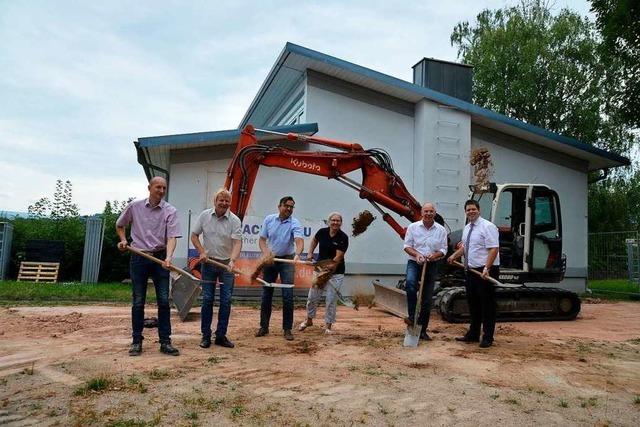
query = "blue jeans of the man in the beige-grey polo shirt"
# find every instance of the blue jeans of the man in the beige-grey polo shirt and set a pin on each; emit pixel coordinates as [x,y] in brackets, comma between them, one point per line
[212,273]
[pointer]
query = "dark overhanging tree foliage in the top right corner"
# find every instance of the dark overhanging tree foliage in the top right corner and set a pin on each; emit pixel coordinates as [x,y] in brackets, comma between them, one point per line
[619,25]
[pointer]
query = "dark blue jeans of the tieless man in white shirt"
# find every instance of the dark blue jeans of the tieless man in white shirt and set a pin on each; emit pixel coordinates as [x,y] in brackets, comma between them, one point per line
[412,283]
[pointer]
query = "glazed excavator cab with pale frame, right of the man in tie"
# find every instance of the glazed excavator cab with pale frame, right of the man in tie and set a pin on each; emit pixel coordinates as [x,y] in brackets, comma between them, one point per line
[530,225]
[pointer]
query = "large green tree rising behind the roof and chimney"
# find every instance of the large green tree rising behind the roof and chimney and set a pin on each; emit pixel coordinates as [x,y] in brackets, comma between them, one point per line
[546,70]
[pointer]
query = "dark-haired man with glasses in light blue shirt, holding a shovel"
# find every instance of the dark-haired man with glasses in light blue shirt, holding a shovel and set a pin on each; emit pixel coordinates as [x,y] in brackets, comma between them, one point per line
[282,235]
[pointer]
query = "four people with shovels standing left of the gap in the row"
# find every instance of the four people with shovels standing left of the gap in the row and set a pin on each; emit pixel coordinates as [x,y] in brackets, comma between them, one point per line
[217,236]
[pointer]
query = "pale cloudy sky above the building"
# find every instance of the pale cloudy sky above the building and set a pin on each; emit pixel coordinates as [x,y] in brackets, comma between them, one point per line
[81,80]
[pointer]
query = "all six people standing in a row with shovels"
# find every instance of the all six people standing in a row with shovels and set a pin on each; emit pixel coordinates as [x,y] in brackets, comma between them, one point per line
[217,236]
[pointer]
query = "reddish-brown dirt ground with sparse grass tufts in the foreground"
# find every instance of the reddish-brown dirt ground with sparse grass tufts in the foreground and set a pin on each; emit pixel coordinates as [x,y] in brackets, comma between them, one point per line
[53,361]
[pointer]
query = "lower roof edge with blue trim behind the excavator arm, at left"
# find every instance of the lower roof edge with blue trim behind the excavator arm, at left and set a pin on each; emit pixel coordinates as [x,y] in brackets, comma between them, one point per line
[153,152]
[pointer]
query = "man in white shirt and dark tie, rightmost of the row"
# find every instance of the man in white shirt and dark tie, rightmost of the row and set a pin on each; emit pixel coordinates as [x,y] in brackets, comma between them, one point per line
[481,251]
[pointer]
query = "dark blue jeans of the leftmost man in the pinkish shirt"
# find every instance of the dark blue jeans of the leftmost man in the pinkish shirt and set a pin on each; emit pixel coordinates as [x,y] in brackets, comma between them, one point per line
[141,269]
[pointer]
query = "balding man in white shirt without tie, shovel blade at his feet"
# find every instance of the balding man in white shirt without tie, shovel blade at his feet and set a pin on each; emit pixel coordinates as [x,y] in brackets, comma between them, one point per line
[425,242]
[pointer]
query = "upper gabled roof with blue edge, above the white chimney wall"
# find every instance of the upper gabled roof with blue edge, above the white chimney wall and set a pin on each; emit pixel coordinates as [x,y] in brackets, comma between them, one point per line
[293,62]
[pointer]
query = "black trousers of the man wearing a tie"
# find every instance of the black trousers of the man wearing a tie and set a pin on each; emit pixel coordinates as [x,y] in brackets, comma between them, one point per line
[482,303]
